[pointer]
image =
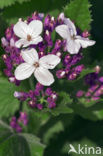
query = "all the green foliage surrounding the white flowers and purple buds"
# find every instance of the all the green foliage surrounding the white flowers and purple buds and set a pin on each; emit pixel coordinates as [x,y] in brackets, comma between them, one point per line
[73,121]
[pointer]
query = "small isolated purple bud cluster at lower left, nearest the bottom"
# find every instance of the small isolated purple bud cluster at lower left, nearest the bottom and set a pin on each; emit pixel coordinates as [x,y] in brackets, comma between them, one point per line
[17,123]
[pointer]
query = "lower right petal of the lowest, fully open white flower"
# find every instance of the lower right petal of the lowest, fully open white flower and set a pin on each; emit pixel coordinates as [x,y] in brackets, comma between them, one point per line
[44,76]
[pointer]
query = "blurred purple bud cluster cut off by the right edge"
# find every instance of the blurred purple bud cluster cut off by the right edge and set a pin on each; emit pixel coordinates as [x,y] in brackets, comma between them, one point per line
[95,82]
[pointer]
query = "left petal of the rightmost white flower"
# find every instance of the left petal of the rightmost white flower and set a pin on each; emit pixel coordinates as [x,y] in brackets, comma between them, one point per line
[62,30]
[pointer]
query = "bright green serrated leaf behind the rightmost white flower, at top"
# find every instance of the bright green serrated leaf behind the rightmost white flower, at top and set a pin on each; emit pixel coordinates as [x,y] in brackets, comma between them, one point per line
[78,11]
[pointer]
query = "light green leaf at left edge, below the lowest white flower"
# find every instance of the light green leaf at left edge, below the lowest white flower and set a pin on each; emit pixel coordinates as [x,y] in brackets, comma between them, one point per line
[8,103]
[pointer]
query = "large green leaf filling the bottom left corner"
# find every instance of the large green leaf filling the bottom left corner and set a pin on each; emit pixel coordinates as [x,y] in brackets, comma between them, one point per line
[22,144]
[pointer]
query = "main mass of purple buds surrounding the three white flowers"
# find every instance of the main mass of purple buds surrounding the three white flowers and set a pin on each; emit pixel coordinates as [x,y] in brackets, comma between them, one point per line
[13,58]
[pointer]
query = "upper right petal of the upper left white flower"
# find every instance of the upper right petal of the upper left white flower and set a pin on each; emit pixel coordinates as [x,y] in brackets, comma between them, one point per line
[35,28]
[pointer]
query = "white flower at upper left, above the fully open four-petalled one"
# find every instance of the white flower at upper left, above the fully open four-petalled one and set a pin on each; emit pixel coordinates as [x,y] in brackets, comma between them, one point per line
[28,33]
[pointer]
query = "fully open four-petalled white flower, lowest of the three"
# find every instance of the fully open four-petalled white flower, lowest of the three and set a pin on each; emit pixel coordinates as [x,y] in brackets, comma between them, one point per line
[37,66]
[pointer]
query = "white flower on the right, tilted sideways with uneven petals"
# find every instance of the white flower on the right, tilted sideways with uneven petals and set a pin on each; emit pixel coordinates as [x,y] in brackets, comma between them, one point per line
[73,41]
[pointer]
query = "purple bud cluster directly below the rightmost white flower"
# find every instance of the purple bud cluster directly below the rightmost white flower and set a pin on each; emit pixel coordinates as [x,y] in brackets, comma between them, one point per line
[70,70]
